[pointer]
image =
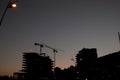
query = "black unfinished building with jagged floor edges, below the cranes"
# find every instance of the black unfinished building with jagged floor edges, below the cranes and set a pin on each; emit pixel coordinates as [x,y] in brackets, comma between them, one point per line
[36,67]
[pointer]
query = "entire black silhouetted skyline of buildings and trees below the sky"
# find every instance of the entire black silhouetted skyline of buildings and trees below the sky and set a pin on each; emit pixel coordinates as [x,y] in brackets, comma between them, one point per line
[88,67]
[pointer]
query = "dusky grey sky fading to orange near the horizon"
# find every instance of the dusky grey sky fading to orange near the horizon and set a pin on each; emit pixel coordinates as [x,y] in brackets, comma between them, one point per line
[67,25]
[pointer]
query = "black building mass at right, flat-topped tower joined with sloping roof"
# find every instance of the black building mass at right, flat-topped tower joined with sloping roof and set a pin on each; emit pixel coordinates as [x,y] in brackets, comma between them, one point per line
[90,67]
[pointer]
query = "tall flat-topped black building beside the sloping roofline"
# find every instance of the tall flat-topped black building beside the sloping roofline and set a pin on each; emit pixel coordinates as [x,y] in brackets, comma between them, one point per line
[85,59]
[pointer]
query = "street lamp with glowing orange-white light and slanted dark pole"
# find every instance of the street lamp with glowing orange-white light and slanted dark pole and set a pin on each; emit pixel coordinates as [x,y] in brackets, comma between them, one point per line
[10,4]
